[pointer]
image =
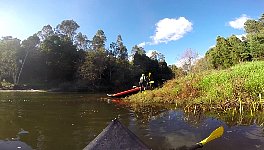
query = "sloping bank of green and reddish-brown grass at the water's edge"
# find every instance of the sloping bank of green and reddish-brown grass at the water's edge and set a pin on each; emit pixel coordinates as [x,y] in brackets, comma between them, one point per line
[239,88]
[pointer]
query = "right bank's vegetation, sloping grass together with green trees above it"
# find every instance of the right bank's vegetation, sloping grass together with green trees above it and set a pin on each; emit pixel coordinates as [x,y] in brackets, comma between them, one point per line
[229,78]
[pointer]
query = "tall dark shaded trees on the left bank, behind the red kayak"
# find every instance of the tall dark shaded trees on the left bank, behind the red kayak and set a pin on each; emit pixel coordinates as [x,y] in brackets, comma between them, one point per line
[61,58]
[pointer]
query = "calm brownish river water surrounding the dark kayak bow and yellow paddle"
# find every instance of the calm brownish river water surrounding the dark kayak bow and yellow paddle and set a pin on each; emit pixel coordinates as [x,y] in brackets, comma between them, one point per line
[69,121]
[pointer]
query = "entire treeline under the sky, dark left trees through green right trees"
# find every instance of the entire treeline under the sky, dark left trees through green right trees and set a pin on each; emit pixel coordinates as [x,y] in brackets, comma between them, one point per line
[60,57]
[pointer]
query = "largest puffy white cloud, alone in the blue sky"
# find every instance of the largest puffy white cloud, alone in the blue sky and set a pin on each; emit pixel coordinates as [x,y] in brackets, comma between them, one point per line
[170,30]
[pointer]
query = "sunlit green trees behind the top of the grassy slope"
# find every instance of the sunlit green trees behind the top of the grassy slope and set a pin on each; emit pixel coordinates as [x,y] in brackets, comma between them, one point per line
[232,50]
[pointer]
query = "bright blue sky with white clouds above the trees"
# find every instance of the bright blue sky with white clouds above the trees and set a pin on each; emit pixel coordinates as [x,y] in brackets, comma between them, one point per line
[167,26]
